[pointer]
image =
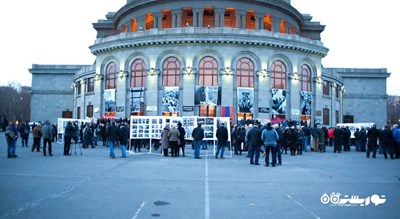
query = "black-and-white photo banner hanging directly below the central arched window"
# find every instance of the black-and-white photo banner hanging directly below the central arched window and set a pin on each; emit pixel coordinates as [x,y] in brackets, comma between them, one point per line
[206,95]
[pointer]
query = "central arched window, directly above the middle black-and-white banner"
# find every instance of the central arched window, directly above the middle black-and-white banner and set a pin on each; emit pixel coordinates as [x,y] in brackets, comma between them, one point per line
[208,72]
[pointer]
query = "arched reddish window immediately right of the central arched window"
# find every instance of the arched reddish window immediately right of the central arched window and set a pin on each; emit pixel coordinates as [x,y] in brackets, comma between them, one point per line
[244,73]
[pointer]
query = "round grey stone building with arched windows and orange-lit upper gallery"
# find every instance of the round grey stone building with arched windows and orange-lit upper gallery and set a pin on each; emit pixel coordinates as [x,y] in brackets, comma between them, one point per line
[241,59]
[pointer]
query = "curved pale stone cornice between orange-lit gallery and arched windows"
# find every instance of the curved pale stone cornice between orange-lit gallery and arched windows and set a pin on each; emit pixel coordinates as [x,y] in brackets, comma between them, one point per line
[192,35]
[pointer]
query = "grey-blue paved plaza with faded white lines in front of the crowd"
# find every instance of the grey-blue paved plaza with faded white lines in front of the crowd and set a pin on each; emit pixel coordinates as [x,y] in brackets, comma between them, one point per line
[143,185]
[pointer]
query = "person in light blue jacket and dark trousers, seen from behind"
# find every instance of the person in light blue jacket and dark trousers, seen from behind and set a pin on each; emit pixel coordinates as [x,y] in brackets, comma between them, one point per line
[270,139]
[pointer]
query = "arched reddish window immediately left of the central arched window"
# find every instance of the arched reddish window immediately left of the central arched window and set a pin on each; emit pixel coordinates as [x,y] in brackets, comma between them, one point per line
[171,72]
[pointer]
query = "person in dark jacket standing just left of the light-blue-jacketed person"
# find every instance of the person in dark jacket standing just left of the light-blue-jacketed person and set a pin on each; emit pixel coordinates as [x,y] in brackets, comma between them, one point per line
[254,140]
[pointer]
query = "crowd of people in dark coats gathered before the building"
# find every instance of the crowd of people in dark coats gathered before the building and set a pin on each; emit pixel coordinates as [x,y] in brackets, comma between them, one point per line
[267,140]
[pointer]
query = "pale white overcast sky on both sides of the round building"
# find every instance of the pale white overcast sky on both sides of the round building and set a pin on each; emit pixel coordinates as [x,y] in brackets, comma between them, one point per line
[358,33]
